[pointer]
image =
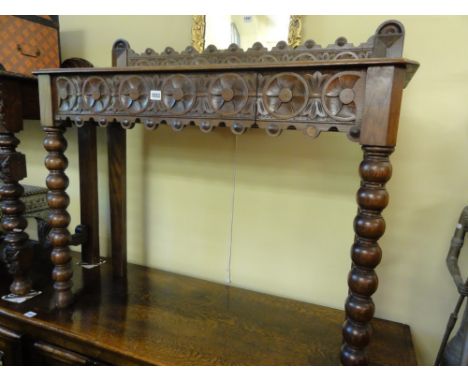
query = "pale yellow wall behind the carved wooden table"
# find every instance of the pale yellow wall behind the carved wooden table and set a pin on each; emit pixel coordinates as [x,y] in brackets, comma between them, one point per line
[294,197]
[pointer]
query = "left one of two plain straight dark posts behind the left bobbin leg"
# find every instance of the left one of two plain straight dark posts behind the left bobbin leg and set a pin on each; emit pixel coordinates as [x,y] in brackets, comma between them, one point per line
[89,192]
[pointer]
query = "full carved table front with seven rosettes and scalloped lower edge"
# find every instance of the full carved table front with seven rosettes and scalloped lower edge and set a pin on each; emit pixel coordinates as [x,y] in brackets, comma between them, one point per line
[308,100]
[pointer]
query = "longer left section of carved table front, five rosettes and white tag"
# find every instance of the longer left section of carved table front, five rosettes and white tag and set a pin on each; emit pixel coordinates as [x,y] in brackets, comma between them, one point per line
[179,97]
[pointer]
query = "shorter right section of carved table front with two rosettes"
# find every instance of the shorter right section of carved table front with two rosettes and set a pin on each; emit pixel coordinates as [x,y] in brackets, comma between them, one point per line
[312,101]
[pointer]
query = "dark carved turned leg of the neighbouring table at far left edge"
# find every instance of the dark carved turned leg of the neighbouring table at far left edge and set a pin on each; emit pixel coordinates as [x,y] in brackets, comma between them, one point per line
[17,255]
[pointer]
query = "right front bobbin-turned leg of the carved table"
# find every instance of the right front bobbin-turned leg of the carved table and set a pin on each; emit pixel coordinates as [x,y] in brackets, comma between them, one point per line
[369,226]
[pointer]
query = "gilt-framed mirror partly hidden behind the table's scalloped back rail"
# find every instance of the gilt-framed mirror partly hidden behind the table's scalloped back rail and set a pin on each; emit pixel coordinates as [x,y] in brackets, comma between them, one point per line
[223,30]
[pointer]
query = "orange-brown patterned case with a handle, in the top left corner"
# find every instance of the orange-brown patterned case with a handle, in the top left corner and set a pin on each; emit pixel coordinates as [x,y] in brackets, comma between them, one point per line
[27,46]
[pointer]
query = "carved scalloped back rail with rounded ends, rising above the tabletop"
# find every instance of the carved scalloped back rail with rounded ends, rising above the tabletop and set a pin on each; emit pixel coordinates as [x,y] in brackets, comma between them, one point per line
[386,42]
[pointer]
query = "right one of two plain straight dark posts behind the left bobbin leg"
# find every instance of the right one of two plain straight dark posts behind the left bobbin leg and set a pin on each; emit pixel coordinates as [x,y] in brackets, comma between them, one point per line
[116,144]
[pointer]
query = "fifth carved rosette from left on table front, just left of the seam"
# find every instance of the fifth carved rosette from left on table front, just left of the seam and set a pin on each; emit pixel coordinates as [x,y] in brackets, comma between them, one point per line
[228,93]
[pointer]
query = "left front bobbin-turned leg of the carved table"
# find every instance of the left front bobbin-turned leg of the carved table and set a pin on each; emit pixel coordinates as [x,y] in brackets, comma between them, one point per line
[58,201]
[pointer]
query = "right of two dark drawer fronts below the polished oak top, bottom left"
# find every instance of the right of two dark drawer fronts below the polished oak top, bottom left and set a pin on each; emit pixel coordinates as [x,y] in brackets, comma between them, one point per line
[43,353]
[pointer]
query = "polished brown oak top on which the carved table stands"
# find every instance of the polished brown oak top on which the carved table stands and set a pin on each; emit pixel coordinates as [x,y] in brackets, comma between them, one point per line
[167,319]
